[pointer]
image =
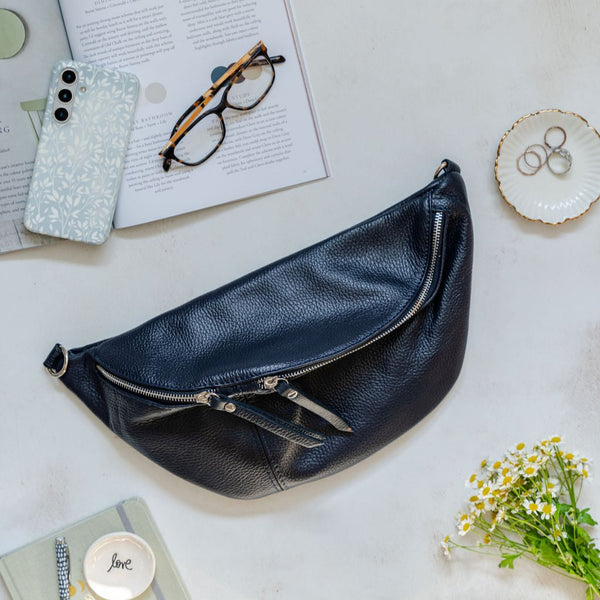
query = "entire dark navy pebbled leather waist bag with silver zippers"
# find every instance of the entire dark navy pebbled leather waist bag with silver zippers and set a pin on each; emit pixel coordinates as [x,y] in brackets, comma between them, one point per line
[301,368]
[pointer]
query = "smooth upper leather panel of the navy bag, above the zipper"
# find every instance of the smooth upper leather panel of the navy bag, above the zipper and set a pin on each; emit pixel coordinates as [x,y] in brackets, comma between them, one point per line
[300,310]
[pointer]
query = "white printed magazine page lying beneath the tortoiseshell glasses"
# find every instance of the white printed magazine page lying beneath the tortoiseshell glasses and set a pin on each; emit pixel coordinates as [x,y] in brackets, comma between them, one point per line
[178,49]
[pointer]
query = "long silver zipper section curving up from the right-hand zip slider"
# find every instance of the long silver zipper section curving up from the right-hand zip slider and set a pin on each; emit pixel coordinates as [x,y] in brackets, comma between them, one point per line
[271,382]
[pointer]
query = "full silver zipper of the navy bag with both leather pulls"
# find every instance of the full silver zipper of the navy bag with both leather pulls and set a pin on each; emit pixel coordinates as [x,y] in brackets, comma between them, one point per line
[223,399]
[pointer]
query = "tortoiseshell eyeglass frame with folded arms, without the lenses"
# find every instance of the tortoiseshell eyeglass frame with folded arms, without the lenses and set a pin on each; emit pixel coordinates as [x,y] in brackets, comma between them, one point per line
[193,115]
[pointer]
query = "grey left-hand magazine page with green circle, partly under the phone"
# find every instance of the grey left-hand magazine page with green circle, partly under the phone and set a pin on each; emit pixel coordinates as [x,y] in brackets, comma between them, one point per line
[32,39]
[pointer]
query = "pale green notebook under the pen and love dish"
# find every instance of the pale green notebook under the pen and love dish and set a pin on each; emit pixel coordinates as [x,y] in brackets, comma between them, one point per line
[30,572]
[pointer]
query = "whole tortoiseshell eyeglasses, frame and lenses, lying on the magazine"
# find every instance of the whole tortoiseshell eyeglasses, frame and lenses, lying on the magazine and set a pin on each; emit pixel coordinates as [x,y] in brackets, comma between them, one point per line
[197,135]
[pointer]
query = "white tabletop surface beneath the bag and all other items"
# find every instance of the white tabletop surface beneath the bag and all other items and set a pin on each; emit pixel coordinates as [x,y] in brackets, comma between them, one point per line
[398,87]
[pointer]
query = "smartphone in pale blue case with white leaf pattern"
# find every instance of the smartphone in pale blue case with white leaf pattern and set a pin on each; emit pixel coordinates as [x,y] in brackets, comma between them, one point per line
[81,152]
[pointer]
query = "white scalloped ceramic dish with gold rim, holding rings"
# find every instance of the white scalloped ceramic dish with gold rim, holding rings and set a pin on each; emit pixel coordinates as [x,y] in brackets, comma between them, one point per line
[544,196]
